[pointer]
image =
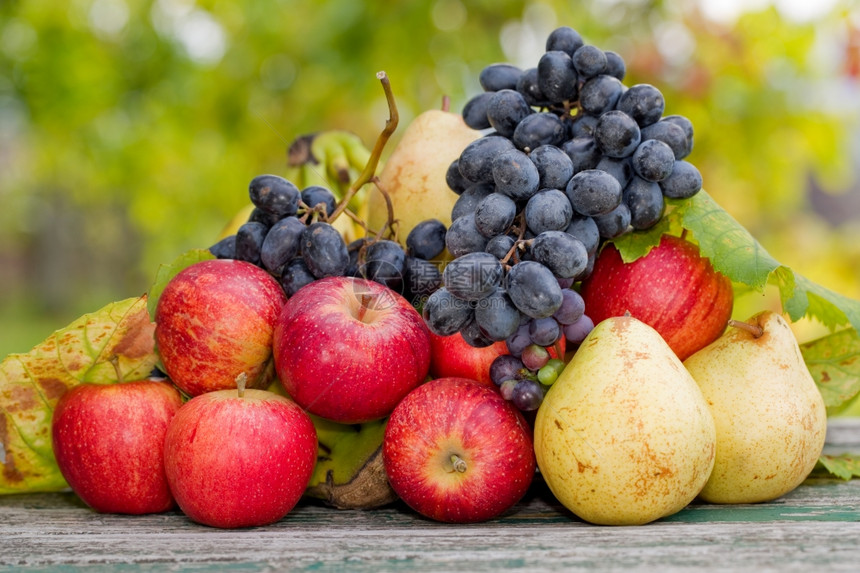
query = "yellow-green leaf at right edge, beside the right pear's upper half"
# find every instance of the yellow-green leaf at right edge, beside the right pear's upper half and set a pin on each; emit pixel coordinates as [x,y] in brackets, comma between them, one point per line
[834,362]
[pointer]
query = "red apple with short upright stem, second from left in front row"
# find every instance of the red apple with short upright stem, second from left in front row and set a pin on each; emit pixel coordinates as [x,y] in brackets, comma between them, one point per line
[239,459]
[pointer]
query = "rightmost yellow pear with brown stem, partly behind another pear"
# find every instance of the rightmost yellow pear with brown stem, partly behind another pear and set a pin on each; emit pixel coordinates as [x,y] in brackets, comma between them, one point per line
[768,412]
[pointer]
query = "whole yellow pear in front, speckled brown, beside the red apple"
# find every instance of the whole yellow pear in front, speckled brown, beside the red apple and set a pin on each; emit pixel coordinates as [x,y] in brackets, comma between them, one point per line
[624,435]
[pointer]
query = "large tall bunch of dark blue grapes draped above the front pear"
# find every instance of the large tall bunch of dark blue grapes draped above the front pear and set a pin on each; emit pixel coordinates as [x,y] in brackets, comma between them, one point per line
[571,157]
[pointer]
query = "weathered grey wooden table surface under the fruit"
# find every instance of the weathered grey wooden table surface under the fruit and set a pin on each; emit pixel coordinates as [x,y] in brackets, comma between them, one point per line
[814,528]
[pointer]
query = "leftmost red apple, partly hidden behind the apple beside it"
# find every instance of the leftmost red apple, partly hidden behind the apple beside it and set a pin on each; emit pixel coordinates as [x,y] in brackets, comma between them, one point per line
[108,440]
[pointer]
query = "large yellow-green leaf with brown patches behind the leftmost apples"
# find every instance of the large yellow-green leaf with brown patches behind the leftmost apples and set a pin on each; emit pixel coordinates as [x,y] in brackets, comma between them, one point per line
[31,384]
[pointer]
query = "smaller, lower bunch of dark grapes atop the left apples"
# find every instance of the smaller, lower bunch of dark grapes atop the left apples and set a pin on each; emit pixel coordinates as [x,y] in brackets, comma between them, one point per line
[289,236]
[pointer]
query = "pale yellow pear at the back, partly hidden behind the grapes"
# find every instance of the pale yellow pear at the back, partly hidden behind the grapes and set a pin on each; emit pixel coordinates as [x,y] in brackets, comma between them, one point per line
[414,175]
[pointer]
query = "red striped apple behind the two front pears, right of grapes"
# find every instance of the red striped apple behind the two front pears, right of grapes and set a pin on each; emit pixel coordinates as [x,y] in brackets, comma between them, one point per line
[673,289]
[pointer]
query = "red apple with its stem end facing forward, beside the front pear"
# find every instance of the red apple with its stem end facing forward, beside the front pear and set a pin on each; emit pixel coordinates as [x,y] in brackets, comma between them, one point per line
[454,450]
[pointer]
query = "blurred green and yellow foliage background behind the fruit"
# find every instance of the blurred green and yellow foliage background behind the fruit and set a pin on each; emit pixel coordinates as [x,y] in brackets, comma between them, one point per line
[129,129]
